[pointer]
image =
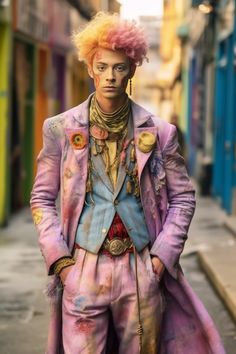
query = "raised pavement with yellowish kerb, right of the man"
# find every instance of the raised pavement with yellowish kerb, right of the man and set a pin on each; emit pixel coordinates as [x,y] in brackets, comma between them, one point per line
[215,245]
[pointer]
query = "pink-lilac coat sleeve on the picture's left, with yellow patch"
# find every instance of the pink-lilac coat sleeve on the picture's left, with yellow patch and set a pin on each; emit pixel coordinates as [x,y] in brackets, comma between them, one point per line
[43,200]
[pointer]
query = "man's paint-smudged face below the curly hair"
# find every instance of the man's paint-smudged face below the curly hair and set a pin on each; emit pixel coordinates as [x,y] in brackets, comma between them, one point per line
[111,71]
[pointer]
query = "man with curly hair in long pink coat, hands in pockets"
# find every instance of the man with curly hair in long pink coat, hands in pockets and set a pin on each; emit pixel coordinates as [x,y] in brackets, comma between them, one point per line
[126,205]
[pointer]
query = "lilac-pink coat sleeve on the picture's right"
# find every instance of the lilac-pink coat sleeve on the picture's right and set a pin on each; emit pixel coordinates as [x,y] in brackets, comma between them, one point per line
[170,242]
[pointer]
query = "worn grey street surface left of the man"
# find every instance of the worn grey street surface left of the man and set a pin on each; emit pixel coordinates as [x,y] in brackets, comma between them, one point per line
[24,310]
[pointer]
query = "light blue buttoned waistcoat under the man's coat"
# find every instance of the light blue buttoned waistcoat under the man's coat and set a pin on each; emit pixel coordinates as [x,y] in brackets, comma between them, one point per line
[97,217]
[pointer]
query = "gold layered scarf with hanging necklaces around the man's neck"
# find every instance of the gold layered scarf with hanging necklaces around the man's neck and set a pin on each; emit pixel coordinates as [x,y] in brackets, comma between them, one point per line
[112,127]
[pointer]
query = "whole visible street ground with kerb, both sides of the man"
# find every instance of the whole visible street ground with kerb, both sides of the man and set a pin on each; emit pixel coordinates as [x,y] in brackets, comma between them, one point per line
[24,310]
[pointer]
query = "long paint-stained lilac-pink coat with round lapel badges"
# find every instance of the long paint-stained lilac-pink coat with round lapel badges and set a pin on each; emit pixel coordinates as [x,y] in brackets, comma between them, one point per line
[168,201]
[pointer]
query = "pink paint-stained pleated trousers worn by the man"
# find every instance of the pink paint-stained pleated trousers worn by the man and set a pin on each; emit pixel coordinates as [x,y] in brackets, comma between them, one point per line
[98,284]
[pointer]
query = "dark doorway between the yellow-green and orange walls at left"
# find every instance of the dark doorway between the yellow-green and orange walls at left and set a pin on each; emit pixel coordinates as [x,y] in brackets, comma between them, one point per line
[23,116]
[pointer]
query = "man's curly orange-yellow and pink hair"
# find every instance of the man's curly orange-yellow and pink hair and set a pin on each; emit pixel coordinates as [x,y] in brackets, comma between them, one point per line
[110,32]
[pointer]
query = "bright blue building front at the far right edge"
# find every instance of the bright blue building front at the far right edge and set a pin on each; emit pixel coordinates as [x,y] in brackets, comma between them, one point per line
[224,129]
